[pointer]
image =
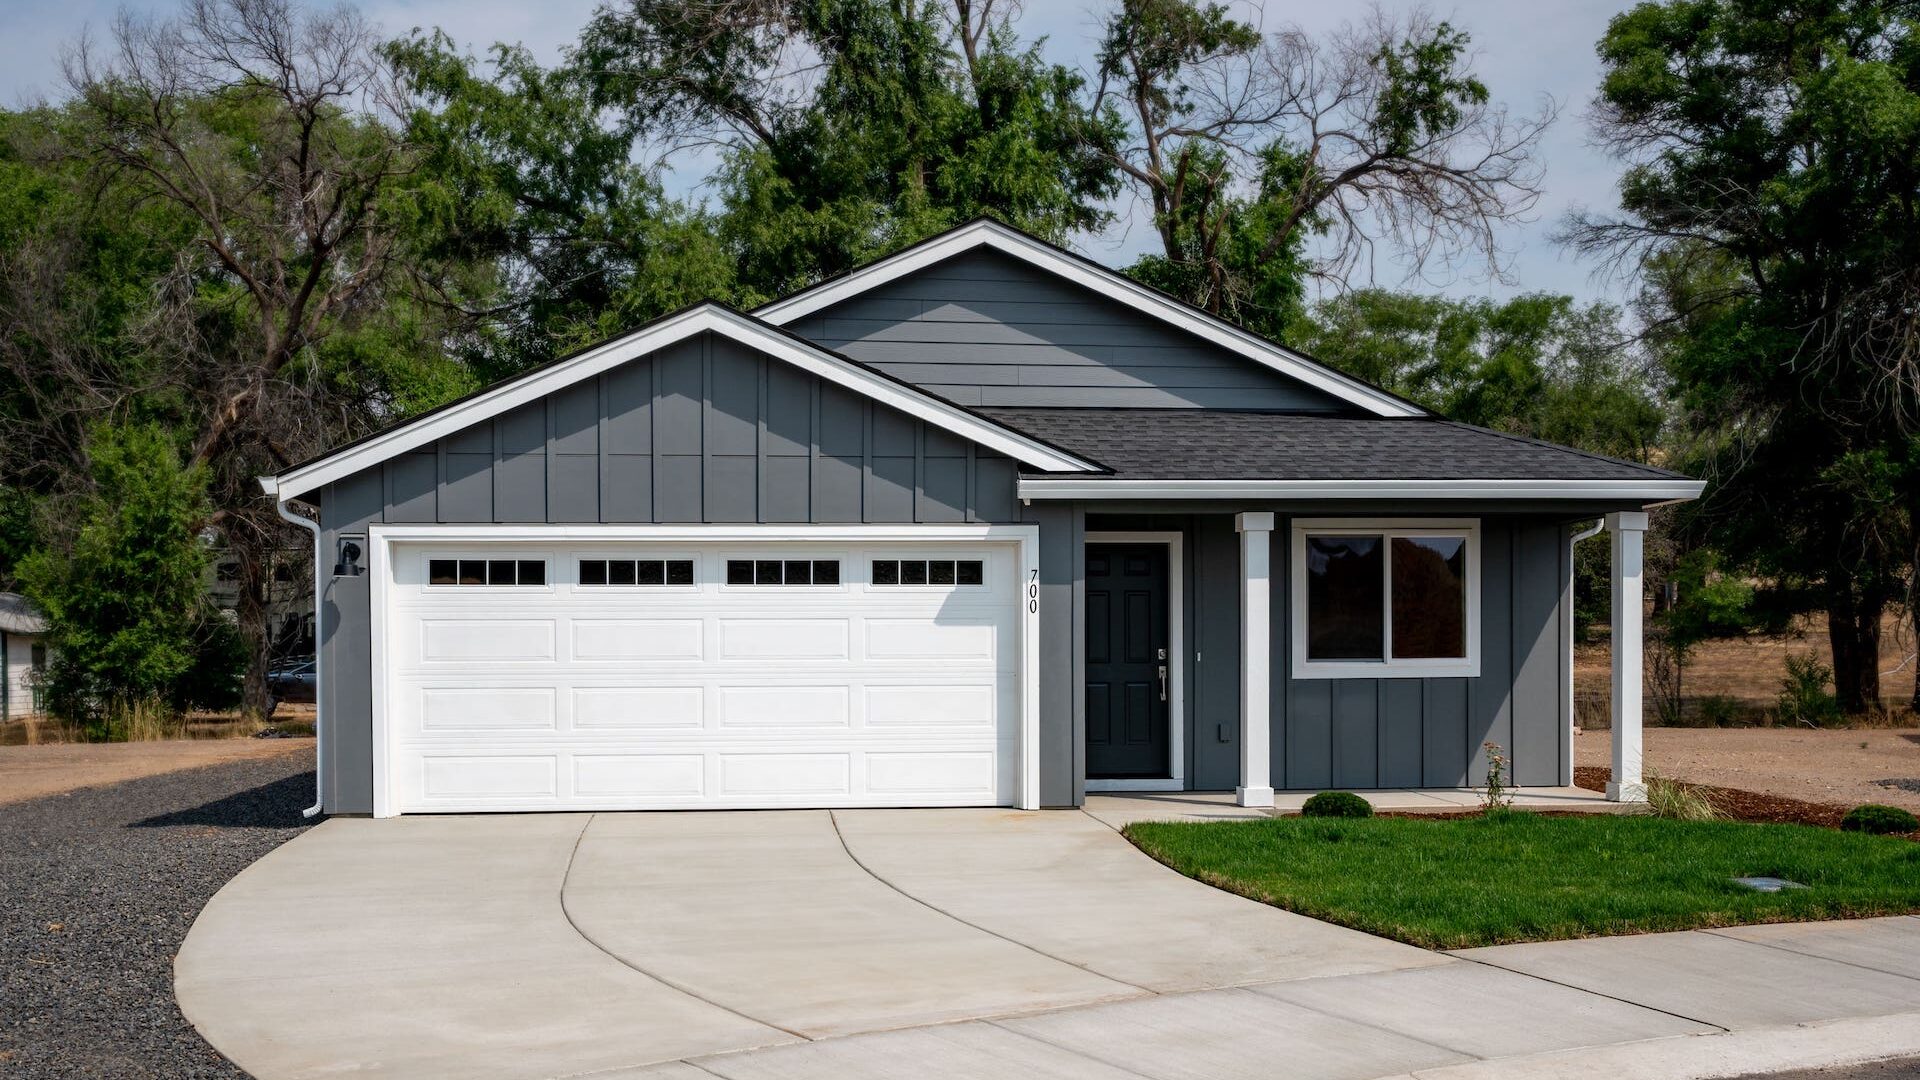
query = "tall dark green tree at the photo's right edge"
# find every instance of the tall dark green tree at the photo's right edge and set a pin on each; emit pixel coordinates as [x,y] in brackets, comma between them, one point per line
[1773,197]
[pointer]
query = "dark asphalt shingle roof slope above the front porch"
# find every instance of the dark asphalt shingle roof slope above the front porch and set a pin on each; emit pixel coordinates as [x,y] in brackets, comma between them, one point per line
[1209,445]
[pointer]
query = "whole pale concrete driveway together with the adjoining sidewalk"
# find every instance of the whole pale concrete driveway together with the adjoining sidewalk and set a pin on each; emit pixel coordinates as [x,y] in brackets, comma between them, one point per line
[948,945]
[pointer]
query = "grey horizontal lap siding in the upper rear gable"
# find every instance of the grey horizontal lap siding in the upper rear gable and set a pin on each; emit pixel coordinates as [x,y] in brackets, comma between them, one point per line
[988,330]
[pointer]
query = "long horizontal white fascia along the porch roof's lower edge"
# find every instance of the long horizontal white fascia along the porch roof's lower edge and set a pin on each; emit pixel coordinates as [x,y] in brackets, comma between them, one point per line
[1644,491]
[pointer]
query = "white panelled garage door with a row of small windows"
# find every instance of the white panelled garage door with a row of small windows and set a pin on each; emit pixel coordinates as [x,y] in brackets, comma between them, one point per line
[650,675]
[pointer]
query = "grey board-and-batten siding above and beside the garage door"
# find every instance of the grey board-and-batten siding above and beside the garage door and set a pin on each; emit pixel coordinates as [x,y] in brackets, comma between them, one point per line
[704,431]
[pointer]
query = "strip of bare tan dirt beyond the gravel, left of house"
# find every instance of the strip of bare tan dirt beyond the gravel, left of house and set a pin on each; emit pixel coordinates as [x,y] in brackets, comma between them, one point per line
[34,772]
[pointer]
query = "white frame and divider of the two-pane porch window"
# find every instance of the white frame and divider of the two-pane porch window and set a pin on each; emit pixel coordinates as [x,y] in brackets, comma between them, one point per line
[1387,529]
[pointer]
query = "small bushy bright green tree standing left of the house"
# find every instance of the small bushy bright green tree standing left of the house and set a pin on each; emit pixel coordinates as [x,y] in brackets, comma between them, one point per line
[122,579]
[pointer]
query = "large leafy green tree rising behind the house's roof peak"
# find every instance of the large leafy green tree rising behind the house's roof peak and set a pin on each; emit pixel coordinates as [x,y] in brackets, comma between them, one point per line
[911,120]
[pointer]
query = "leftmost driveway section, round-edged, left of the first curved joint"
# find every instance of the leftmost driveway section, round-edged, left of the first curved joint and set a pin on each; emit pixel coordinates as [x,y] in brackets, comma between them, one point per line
[427,946]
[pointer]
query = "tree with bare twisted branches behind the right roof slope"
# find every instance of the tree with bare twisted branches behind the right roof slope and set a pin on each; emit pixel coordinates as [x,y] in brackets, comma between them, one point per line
[1276,159]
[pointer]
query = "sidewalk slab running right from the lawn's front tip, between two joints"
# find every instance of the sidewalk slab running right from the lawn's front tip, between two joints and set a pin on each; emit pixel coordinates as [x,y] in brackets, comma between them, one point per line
[1712,979]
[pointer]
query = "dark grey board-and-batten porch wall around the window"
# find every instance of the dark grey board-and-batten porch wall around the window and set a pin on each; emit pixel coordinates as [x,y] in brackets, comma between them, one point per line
[1385,733]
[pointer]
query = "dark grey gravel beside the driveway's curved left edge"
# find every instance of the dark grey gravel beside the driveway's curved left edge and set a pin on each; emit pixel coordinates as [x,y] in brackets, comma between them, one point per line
[97,893]
